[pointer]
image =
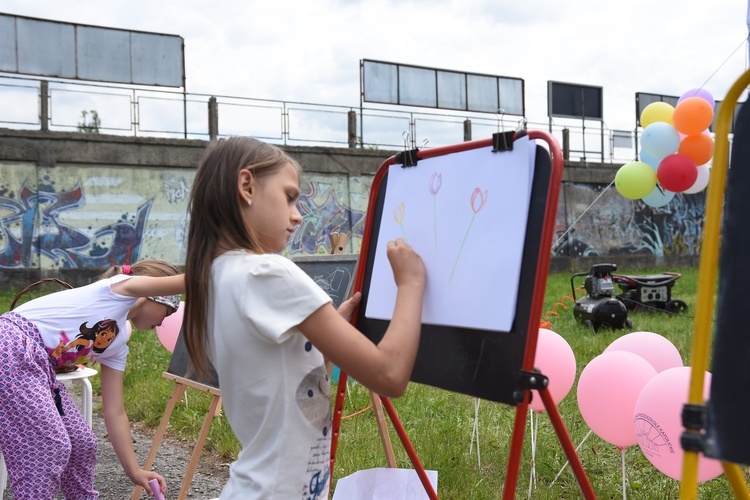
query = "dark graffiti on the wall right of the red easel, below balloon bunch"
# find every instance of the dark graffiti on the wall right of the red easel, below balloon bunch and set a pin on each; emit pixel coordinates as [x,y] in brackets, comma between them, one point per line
[596,220]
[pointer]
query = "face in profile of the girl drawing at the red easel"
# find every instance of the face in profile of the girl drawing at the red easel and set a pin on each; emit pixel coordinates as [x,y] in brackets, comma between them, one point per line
[274,214]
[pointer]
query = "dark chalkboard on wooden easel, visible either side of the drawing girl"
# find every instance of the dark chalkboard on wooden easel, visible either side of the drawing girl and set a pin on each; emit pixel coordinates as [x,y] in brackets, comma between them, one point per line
[333,273]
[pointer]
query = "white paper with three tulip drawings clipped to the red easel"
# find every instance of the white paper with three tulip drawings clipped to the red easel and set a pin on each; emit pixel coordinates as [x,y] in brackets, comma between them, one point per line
[465,213]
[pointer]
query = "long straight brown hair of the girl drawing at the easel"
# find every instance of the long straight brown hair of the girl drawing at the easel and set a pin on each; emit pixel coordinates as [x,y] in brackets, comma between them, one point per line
[216,219]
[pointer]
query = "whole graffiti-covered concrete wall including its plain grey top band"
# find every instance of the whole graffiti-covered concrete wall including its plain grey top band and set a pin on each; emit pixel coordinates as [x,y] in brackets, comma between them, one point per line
[72,203]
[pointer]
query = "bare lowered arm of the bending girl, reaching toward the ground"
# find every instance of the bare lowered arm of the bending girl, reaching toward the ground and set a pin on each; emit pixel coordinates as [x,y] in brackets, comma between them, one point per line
[118,428]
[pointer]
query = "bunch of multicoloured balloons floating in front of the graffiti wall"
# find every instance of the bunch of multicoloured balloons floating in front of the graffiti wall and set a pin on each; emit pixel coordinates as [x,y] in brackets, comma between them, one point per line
[676,147]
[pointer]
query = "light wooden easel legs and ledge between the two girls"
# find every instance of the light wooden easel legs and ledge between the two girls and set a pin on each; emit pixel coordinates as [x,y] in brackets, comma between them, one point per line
[214,410]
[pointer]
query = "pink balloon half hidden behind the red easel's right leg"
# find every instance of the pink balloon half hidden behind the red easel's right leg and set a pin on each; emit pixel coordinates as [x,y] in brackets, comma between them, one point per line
[555,359]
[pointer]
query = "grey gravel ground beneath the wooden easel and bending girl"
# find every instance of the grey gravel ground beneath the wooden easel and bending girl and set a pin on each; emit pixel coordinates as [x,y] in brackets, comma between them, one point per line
[171,462]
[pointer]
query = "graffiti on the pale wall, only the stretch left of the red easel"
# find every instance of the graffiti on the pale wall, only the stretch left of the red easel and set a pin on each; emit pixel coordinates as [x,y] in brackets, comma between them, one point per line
[94,218]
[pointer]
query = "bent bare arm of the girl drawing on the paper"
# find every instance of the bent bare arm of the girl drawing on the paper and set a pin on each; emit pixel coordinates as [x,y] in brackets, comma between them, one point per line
[384,368]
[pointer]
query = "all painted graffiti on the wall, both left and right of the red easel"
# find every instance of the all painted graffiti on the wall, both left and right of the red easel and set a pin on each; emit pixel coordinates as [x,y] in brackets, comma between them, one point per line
[83,217]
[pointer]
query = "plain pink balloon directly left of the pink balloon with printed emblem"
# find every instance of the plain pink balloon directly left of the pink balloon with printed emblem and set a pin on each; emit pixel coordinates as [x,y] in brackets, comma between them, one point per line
[607,391]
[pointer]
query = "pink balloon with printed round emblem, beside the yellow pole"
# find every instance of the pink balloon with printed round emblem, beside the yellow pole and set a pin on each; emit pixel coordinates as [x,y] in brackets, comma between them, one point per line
[658,423]
